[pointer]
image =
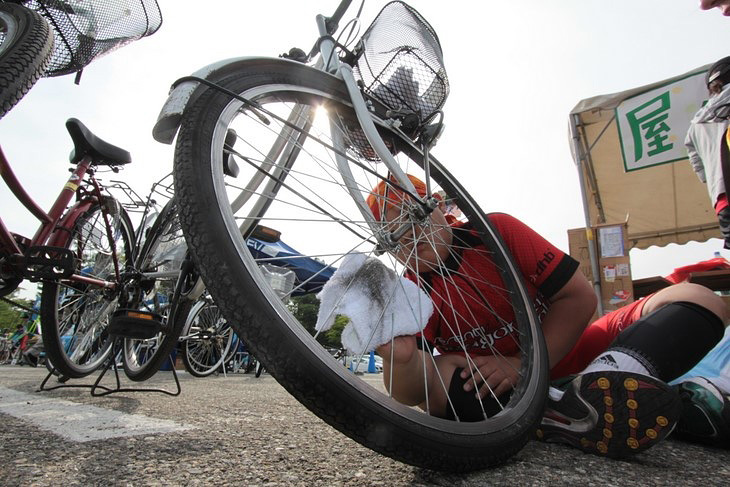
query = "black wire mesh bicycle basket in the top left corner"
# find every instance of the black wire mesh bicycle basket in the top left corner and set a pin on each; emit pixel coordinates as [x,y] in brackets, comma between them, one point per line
[87,29]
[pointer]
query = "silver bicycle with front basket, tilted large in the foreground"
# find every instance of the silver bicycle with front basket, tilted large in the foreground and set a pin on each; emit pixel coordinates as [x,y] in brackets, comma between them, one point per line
[297,144]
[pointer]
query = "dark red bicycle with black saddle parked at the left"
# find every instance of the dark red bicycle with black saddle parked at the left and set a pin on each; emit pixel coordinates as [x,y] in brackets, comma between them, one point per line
[79,252]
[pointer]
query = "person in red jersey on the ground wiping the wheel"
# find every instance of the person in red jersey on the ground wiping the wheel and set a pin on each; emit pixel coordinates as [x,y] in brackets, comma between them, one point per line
[613,397]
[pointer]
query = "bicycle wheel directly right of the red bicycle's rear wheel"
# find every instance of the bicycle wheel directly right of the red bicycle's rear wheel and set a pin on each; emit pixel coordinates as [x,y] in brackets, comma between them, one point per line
[161,258]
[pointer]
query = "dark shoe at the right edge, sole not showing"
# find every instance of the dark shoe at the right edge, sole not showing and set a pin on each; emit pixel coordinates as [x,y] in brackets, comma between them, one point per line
[705,413]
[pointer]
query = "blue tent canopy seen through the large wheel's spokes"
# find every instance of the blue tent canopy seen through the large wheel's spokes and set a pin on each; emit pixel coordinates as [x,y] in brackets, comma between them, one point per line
[311,274]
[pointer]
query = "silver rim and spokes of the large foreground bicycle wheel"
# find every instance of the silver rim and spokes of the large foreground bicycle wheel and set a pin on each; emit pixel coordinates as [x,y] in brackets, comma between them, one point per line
[305,207]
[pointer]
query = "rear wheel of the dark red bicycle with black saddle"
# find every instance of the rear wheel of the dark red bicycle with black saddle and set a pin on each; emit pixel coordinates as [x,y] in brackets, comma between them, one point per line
[74,315]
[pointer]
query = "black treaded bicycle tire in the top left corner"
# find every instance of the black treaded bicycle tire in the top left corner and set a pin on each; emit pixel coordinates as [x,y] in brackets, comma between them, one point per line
[26,46]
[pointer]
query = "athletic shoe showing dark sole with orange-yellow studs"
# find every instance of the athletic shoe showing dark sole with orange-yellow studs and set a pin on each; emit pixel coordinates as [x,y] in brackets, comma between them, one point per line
[613,413]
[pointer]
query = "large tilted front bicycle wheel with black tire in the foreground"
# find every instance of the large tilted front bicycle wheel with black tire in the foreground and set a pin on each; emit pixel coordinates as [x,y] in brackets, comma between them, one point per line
[289,181]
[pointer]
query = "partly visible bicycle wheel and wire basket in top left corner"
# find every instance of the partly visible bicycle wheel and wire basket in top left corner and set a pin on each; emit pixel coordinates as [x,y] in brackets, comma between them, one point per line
[56,37]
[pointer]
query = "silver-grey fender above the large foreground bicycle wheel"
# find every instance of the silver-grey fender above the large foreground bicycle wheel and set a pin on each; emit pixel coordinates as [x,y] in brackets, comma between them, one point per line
[182,93]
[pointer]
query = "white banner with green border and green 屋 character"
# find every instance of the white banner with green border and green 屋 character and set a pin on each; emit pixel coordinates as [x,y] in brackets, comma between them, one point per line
[652,125]
